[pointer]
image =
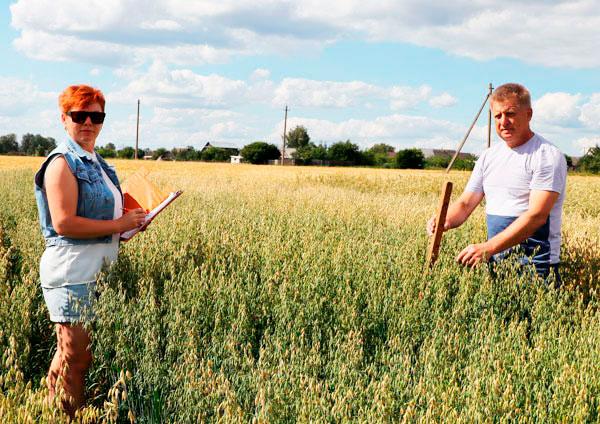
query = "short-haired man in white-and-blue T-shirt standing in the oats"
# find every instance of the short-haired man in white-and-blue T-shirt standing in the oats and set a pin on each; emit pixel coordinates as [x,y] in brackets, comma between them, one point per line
[523,180]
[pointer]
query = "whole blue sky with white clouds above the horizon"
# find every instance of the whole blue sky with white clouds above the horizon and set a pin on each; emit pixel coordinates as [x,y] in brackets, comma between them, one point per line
[410,73]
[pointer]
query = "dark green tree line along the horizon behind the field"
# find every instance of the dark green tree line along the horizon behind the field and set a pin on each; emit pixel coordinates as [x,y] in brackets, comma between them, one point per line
[306,152]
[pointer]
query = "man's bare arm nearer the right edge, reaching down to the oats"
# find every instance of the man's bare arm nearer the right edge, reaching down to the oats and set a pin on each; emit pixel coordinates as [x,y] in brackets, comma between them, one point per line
[540,205]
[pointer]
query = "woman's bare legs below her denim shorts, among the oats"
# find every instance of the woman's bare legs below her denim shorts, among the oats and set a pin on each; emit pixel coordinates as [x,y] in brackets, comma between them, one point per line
[71,361]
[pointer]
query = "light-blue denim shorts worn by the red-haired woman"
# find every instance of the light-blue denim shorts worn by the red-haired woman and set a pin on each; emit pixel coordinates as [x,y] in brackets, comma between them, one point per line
[71,303]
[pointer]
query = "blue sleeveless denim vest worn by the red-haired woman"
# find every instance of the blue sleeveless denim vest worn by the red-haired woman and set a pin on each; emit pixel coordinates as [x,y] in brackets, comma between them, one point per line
[94,200]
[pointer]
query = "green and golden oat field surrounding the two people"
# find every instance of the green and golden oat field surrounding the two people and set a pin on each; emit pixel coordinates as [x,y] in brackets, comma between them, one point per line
[268,294]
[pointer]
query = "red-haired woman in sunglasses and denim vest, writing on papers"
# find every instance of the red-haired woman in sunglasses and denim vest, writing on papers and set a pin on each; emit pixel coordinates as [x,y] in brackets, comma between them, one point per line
[80,208]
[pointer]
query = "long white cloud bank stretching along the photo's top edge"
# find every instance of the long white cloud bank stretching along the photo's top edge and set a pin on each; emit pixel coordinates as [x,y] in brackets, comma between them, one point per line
[199,32]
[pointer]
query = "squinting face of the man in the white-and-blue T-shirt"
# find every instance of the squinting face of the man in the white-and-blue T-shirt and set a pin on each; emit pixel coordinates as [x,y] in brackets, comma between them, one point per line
[512,121]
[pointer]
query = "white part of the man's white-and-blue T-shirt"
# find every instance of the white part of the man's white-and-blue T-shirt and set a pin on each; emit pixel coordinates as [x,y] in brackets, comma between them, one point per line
[506,176]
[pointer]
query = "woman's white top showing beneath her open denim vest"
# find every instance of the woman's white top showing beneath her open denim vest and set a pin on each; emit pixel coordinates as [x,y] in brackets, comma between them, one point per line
[78,264]
